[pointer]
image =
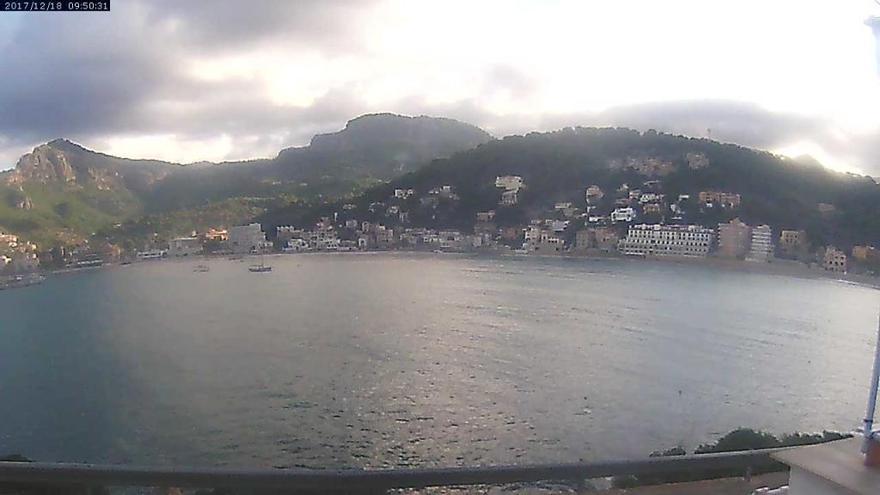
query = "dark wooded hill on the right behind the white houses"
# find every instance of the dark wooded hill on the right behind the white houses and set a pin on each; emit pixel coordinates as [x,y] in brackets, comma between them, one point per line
[833,207]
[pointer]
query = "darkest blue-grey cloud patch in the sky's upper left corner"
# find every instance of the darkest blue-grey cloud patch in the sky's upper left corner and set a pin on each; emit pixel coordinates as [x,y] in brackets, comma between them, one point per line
[56,80]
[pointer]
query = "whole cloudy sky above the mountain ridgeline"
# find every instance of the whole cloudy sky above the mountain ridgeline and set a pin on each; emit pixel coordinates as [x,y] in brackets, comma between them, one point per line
[224,80]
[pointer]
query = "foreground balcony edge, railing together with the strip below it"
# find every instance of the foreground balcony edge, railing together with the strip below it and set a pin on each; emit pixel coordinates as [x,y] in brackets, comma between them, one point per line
[736,467]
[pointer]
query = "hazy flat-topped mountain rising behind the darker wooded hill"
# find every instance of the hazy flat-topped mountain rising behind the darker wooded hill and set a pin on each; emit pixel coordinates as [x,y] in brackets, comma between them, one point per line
[371,148]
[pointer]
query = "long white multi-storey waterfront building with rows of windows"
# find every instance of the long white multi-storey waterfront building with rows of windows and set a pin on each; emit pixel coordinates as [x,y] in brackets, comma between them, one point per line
[666,240]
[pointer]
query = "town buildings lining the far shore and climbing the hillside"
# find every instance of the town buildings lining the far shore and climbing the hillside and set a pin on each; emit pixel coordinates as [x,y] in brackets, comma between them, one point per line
[630,220]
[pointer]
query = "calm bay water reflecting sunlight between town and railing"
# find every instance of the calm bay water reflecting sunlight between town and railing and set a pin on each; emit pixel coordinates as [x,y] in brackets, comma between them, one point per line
[397,360]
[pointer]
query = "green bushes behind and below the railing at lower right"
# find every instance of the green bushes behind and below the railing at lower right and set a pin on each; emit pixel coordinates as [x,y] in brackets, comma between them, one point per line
[737,440]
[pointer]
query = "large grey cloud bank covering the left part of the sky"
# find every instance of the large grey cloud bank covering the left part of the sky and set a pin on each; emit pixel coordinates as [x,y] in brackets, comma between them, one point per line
[88,76]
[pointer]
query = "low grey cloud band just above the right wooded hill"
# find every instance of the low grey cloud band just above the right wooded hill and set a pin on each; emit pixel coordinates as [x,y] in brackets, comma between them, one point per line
[730,121]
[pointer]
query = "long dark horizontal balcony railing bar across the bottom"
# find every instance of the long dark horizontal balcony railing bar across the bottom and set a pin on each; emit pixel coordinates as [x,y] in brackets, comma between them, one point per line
[37,474]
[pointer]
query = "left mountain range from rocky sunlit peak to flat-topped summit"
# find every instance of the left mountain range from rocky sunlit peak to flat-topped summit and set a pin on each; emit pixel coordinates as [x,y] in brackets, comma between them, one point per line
[63,192]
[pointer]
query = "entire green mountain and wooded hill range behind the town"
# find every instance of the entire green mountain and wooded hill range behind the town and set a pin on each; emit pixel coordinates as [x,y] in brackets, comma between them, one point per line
[68,193]
